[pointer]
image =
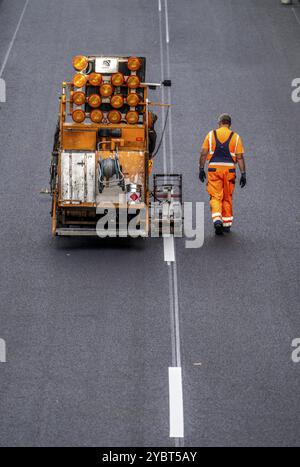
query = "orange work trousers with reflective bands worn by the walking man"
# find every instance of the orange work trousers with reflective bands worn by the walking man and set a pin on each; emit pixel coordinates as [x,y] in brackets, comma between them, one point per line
[220,187]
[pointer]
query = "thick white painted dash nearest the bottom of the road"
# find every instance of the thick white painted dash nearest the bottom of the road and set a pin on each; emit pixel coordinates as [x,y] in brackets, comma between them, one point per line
[176,403]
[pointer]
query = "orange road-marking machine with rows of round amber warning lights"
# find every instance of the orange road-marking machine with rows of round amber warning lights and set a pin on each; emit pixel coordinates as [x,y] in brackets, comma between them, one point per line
[104,148]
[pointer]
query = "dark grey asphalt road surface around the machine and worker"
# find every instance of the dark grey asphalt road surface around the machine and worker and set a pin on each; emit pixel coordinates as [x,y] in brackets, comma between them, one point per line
[90,325]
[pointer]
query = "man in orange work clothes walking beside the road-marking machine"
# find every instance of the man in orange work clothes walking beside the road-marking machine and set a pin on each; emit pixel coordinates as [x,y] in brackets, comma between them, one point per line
[222,149]
